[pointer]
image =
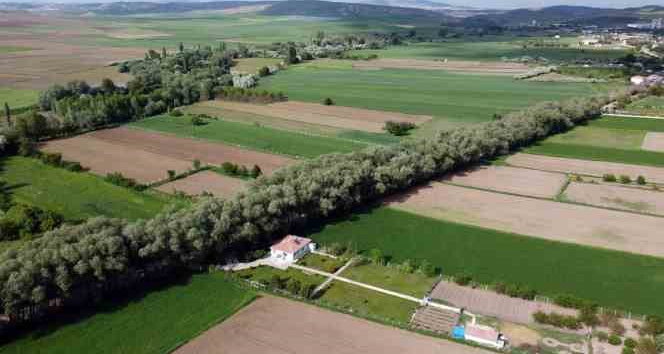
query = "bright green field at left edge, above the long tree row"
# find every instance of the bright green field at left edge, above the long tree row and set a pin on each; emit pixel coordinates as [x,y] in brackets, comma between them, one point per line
[75,195]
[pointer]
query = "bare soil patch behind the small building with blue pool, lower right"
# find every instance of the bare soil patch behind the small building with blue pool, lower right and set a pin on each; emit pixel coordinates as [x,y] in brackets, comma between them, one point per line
[489,303]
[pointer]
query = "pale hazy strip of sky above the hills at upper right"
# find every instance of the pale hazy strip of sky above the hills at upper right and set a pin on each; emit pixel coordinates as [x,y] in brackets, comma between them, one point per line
[542,3]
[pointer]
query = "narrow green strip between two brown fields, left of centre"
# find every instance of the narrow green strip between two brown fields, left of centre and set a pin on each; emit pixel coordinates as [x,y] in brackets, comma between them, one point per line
[250,136]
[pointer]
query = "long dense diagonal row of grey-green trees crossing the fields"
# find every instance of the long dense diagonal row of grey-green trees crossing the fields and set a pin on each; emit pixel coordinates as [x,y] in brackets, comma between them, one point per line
[102,253]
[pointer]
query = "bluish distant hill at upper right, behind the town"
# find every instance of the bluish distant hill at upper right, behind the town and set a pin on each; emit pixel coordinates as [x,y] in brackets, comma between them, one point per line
[571,14]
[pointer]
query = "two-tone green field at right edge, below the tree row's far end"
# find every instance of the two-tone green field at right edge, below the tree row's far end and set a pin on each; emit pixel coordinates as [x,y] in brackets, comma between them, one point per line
[609,139]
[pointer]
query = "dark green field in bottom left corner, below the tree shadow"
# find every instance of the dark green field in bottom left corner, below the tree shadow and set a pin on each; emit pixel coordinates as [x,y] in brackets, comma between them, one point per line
[154,324]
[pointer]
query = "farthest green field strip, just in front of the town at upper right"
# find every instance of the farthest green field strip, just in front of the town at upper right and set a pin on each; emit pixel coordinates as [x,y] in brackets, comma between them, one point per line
[489,50]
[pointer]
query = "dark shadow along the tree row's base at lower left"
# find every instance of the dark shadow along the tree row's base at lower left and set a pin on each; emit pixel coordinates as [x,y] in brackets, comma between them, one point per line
[74,315]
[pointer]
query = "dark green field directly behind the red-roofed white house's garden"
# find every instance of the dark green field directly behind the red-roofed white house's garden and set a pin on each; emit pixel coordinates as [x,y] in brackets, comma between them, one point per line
[614,279]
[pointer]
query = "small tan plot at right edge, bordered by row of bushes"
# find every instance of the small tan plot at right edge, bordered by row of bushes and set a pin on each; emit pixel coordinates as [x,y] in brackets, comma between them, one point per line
[617,197]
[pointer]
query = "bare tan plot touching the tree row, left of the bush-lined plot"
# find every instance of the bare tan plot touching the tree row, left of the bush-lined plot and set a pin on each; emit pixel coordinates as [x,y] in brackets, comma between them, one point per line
[511,180]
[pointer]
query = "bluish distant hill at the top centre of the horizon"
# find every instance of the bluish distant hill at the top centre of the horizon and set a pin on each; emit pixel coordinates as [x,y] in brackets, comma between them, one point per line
[343,10]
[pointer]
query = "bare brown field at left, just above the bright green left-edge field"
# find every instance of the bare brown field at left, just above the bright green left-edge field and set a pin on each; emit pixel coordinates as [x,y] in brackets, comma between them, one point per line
[103,157]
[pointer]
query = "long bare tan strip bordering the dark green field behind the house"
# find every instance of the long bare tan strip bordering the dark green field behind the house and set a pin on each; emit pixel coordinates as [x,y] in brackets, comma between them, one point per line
[538,218]
